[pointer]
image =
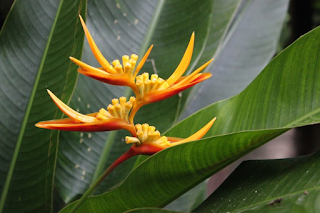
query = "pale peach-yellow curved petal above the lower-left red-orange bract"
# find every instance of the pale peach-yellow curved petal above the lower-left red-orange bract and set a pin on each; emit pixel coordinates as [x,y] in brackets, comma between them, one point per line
[70,112]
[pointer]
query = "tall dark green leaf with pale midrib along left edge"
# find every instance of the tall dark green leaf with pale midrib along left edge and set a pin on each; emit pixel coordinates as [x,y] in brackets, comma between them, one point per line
[36,41]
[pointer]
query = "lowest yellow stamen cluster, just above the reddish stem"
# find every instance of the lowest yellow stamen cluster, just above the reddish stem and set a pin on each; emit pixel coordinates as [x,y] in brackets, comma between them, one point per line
[147,134]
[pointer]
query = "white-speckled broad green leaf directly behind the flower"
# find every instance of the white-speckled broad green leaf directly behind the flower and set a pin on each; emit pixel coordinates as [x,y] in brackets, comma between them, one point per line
[130,28]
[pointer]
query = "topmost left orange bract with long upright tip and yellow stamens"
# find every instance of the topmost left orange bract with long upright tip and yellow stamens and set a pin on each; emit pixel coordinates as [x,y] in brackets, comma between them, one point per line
[115,74]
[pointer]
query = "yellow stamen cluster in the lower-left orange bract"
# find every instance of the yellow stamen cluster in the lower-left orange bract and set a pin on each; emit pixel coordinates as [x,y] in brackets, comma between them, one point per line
[119,108]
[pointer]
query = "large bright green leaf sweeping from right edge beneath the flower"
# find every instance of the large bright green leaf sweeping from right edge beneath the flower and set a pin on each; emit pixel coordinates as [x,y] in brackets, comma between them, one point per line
[284,95]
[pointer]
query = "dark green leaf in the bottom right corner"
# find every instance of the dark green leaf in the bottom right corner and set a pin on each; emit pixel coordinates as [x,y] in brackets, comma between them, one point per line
[255,186]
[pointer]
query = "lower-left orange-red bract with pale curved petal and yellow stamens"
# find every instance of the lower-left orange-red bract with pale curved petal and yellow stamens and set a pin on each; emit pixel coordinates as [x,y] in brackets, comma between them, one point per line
[114,118]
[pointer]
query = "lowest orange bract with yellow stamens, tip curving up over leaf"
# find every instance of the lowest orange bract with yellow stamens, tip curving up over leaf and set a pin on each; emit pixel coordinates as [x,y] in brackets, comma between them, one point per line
[149,141]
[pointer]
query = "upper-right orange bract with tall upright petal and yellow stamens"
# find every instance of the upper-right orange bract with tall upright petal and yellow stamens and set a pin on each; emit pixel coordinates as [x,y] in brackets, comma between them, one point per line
[157,89]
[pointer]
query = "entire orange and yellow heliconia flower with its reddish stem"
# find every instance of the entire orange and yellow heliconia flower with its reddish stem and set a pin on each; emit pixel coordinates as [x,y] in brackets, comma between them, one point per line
[145,139]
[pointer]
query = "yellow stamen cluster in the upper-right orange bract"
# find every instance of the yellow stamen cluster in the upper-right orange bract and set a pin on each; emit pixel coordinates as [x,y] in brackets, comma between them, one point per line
[145,84]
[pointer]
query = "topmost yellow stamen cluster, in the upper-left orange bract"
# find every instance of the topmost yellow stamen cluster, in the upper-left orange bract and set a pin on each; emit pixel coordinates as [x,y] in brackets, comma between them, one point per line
[127,67]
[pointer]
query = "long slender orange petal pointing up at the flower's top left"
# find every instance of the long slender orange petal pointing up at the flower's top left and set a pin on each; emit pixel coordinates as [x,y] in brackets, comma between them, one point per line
[96,52]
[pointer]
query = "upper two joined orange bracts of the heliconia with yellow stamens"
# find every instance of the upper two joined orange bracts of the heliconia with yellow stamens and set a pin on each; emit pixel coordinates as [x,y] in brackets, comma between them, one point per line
[147,90]
